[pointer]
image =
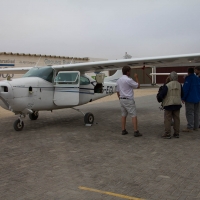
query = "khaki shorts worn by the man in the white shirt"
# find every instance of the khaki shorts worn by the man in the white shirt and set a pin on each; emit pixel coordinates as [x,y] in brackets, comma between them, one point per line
[128,107]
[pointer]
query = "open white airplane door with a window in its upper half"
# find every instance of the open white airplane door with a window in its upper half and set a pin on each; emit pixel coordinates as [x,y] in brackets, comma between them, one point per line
[67,88]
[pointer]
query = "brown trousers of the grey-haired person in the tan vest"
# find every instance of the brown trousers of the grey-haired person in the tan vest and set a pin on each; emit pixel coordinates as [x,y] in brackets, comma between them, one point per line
[169,115]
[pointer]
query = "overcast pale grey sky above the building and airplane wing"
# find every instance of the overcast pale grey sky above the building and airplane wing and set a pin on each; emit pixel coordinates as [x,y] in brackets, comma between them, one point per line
[100,28]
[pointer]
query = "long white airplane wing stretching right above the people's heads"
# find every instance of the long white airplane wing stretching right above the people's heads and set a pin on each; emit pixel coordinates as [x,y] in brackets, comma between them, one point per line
[162,61]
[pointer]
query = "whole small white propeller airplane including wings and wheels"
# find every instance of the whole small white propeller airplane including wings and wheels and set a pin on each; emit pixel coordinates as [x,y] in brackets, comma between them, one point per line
[67,86]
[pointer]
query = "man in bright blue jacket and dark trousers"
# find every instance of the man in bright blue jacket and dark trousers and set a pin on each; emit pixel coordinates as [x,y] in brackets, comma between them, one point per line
[191,99]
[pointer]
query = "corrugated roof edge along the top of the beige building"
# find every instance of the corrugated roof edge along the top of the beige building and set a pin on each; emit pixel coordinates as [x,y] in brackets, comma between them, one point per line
[53,56]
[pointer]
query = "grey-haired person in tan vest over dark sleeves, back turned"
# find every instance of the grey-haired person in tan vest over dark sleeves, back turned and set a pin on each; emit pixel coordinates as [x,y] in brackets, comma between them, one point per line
[171,94]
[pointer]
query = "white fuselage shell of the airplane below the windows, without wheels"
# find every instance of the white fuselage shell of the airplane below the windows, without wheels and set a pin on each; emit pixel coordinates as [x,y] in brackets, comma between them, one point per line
[32,93]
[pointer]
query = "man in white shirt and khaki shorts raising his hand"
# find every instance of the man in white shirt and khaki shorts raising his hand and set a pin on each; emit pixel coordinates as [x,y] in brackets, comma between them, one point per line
[125,86]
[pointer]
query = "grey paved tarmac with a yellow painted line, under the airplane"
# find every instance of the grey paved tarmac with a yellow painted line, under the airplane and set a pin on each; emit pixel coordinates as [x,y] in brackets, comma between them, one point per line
[57,157]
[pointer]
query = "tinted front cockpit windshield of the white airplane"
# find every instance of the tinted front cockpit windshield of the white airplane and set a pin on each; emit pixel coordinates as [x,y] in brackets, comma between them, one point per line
[45,73]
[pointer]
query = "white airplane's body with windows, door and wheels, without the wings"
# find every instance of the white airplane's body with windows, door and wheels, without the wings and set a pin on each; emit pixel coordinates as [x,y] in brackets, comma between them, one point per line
[48,89]
